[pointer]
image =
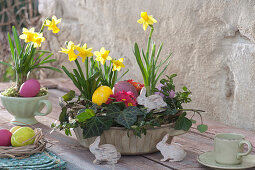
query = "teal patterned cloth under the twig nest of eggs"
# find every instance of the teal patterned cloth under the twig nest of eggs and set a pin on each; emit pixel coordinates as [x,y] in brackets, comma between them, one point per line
[45,160]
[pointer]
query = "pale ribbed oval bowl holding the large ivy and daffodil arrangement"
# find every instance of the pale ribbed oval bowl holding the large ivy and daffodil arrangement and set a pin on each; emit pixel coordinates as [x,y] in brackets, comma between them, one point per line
[131,145]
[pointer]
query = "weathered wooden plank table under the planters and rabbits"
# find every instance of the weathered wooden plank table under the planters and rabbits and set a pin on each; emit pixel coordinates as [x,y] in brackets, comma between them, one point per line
[78,157]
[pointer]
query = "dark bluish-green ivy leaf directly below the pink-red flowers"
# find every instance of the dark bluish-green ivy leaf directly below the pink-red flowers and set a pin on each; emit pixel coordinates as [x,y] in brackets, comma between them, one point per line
[128,116]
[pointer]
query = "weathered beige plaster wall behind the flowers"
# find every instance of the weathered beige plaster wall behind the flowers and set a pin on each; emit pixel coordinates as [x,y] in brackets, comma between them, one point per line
[212,44]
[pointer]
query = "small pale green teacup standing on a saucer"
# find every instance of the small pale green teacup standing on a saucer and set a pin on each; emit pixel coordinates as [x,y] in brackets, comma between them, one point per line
[228,148]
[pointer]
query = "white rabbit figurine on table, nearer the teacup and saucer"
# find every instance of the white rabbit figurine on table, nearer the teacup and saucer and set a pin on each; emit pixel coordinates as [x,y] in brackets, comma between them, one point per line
[174,152]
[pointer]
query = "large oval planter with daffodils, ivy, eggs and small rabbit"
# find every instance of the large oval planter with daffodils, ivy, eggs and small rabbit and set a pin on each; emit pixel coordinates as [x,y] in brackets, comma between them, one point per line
[132,116]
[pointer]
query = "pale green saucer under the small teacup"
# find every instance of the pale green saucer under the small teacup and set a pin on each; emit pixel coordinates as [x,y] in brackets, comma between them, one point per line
[208,159]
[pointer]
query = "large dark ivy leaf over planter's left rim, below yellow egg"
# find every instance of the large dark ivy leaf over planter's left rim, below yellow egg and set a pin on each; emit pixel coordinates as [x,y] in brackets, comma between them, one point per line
[96,125]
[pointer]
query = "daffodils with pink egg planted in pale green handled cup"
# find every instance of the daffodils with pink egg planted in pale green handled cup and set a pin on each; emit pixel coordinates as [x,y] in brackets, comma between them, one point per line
[27,98]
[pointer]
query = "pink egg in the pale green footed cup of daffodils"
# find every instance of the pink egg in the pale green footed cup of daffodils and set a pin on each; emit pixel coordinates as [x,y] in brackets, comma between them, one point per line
[30,88]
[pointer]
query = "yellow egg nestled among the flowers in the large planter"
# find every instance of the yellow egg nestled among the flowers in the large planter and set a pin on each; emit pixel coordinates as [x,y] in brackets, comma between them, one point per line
[101,95]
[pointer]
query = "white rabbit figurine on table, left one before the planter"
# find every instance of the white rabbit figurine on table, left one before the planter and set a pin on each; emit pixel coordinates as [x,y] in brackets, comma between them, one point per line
[104,153]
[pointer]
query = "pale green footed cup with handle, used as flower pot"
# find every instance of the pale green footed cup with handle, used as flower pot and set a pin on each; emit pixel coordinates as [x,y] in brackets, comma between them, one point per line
[24,109]
